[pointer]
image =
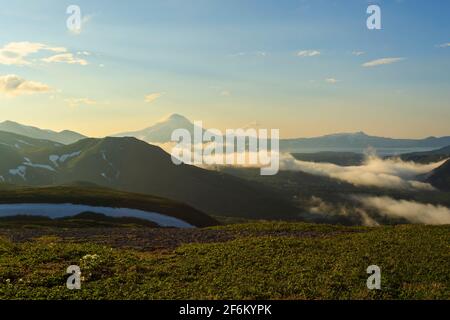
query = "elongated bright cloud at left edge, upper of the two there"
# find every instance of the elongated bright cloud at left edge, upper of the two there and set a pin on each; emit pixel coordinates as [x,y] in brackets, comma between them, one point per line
[15,53]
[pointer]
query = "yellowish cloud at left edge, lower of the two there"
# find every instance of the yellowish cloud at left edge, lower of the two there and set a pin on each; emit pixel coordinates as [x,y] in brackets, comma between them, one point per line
[13,85]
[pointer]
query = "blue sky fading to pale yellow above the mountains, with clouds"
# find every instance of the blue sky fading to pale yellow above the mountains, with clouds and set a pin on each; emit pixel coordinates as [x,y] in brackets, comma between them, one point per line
[306,67]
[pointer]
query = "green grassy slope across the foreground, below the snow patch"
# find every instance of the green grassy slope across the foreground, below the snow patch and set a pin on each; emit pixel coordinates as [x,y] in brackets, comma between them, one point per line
[266,261]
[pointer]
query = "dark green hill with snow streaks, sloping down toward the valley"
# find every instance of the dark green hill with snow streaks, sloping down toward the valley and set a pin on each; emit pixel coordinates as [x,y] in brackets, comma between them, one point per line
[132,165]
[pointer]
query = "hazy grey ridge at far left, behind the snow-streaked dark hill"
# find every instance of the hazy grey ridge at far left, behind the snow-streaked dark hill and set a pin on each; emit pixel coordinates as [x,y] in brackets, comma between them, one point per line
[64,137]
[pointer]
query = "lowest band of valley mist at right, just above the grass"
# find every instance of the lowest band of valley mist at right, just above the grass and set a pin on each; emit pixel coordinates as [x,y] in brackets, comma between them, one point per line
[412,211]
